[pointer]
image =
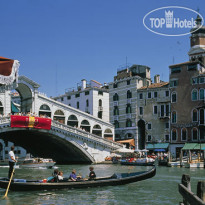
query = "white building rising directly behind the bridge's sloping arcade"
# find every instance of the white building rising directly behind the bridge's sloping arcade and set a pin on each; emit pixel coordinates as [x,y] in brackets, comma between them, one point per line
[90,97]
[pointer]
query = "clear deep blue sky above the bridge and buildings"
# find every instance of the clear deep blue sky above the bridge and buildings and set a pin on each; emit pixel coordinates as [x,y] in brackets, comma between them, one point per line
[61,42]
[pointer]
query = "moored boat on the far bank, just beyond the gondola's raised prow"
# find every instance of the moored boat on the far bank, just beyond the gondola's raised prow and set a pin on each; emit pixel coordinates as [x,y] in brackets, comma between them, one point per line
[138,162]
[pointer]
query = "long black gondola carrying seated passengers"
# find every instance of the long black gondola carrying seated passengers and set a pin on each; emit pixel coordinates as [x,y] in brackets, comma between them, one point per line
[114,180]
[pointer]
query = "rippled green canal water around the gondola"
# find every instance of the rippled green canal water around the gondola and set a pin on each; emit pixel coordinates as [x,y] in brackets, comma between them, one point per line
[161,189]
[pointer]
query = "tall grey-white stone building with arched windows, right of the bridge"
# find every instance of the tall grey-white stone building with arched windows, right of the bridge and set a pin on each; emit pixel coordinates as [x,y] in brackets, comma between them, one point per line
[123,101]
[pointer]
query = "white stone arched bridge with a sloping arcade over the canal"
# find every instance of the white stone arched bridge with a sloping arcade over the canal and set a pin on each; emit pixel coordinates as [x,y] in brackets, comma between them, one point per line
[74,136]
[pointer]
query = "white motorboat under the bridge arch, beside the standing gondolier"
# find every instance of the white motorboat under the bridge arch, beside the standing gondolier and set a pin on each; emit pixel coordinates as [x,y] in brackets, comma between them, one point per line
[37,162]
